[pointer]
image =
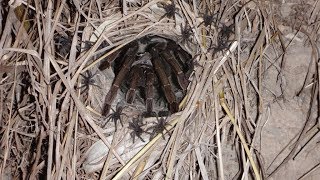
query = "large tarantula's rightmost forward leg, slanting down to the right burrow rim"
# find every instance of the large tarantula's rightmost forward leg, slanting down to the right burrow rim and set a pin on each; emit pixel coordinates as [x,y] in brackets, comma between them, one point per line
[172,61]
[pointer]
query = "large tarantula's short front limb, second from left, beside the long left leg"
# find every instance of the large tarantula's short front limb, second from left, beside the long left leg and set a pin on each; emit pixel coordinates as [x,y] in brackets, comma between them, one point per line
[136,74]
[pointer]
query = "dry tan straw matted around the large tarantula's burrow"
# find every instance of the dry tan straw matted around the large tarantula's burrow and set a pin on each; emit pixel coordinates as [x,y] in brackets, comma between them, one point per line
[50,128]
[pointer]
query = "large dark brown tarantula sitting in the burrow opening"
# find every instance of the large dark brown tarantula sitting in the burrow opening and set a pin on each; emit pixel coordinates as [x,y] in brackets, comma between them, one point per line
[148,67]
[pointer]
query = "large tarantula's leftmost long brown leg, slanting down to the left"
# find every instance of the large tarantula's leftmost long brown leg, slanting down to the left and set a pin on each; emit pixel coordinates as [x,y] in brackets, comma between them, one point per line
[129,59]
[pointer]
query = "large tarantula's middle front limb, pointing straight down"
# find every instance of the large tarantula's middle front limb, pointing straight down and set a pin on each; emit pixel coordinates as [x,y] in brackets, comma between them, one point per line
[150,78]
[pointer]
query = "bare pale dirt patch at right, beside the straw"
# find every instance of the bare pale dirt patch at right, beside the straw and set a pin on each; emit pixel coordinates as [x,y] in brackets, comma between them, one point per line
[285,113]
